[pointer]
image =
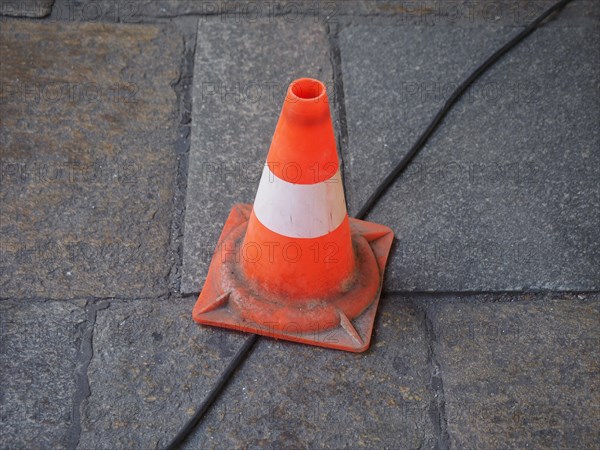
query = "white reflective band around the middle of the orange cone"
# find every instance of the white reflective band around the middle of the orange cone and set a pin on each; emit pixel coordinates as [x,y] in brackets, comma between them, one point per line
[300,210]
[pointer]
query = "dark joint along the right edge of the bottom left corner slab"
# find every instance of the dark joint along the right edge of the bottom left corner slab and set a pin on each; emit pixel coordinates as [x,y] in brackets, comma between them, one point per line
[82,383]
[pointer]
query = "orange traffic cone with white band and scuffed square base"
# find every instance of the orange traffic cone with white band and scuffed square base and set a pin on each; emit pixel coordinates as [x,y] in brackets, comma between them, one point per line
[295,266]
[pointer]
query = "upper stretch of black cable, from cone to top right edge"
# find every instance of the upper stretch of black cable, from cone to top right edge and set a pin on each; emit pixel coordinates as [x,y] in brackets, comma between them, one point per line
[457,94]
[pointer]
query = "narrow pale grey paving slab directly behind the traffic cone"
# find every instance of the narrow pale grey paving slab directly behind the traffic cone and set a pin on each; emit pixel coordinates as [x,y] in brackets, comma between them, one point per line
[240,79]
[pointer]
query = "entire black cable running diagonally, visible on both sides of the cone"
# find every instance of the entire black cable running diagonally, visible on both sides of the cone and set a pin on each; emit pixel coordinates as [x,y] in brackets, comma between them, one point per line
[381,189]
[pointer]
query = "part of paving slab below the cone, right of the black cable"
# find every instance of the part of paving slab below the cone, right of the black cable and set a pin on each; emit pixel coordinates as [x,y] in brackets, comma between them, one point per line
[296,396]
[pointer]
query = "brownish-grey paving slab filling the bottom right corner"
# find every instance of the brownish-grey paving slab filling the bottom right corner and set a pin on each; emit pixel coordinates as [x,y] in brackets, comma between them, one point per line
[521,374]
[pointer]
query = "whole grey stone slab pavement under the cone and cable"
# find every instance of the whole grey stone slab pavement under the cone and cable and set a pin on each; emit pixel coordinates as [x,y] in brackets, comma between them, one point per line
[128,129]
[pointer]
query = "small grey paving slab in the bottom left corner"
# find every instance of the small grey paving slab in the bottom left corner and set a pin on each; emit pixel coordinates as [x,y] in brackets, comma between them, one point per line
[39,344]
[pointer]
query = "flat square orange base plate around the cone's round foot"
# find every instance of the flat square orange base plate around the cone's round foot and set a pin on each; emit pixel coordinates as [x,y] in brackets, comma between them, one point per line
[212,307]
